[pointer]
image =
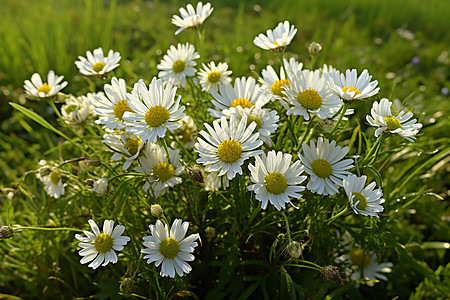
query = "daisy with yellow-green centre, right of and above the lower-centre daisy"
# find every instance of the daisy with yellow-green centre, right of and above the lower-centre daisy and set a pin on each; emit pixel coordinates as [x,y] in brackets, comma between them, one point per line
[325,166]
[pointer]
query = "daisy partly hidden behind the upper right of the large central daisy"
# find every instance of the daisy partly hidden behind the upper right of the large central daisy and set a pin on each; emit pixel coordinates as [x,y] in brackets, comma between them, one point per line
[266,120]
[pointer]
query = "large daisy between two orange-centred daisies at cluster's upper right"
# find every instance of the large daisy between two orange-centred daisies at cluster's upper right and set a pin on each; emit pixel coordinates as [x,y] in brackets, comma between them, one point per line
[309,94]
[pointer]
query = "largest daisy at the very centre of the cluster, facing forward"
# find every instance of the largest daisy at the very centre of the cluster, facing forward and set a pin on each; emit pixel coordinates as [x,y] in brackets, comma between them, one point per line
[227,145]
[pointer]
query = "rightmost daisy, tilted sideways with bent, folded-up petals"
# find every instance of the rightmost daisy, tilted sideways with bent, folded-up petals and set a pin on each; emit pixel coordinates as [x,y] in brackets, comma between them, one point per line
[381,116]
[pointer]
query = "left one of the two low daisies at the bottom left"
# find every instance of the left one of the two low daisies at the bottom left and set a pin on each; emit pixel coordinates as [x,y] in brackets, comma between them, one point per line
[98,248]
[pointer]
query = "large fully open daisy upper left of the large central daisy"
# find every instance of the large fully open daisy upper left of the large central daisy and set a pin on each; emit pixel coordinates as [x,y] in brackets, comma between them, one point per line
[156,114]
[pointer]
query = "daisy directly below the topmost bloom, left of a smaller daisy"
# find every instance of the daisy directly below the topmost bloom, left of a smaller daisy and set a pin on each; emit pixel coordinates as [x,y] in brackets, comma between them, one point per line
[178,64]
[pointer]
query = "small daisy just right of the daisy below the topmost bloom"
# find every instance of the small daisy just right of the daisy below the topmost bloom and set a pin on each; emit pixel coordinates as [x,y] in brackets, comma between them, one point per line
[211,76]
